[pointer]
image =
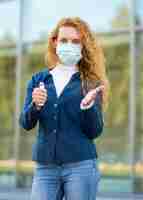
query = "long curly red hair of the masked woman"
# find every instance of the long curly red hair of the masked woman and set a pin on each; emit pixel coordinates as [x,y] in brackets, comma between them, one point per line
[92,64]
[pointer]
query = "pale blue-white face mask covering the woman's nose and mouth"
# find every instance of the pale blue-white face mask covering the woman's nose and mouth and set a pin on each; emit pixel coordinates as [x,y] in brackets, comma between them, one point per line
[69,53]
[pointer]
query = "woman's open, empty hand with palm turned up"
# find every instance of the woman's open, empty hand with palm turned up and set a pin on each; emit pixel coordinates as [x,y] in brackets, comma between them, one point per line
[90,96]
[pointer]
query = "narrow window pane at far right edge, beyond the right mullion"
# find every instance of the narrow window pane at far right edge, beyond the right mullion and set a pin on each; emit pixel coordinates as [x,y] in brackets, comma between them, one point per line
[139,126]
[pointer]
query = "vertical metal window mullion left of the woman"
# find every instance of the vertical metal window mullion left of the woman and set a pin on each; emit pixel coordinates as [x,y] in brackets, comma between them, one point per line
[19,47]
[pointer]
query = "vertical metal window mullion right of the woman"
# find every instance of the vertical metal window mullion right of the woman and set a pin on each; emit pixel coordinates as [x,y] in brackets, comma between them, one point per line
[132,91]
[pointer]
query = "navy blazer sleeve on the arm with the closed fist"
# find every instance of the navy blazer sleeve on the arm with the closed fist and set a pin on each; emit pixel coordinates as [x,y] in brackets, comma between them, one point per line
[29,115]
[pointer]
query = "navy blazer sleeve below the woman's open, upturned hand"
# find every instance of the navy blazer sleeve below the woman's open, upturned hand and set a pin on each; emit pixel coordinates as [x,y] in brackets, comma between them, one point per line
[92,122]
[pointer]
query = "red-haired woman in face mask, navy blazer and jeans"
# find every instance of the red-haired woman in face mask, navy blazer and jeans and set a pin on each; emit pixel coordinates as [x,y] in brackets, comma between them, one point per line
[67,99]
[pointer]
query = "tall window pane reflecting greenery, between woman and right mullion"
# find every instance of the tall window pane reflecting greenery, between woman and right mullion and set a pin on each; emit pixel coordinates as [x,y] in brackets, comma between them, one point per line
[113,144]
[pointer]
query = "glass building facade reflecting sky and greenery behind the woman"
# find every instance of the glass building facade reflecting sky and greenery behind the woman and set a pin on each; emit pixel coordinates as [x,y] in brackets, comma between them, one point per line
[24,28]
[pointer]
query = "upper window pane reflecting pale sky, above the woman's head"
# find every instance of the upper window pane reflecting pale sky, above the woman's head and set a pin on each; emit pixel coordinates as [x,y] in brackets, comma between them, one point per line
[101,15]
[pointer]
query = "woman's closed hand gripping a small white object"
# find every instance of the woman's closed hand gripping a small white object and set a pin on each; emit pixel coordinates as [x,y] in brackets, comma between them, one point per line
[39,97]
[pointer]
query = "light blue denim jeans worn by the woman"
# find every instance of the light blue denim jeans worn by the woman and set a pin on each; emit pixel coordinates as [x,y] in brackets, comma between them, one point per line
[73,181]
